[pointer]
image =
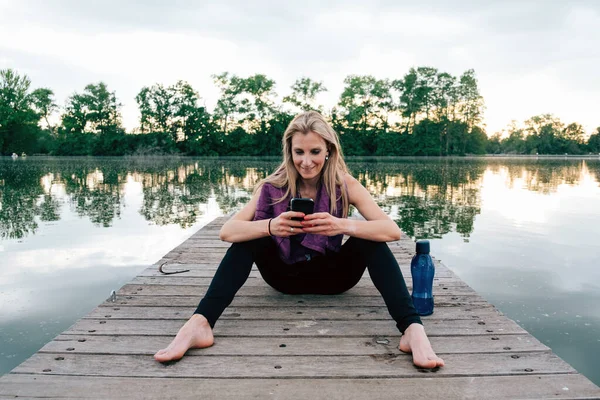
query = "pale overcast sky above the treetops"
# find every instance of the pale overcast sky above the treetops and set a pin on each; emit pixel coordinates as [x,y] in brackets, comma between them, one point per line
[530,57]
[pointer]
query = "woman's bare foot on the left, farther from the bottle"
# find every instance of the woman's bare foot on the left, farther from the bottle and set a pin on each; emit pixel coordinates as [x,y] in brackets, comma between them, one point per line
[194,334]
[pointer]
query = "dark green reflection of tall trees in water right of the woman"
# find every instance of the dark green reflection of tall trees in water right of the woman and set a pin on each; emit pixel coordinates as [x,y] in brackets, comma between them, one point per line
[427,200]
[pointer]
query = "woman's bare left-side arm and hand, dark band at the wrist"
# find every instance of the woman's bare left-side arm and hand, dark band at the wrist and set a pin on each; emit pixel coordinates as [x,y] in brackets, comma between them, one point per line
[241,227]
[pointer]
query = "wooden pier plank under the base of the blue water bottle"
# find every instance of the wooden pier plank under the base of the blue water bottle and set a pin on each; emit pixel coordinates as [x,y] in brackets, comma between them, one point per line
[331,313]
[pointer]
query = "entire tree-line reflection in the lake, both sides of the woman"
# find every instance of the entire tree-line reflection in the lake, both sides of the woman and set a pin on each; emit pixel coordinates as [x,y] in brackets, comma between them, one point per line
[427,198]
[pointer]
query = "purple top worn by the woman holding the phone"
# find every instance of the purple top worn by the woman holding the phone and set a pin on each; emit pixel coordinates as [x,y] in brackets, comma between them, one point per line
[304,246]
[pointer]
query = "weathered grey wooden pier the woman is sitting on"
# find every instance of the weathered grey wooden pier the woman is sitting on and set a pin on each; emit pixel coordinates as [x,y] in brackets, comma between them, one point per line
[274,346]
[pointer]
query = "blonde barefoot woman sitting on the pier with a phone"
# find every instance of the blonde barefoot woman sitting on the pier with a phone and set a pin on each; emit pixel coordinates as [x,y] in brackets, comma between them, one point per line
[297,253]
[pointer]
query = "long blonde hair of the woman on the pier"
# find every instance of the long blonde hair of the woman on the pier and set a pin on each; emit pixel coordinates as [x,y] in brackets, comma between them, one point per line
[333,171]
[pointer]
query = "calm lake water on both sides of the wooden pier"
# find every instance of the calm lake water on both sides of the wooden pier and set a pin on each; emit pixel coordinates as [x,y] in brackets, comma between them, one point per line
[523,233]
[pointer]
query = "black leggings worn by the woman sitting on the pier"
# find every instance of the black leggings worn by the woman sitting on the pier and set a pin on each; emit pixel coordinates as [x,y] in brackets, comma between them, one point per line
[332,273]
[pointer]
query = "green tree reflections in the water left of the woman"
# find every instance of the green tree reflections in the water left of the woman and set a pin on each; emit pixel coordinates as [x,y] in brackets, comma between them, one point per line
[174,190]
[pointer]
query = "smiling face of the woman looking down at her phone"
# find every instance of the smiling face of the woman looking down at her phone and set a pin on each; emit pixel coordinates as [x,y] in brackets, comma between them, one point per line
[308,154]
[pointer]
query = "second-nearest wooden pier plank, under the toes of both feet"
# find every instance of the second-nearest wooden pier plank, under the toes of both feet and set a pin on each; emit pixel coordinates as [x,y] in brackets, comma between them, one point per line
[372,366]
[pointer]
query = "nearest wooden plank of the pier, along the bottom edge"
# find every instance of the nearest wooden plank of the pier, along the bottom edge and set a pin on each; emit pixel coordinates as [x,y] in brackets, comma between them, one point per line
[561,386]
